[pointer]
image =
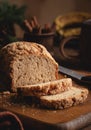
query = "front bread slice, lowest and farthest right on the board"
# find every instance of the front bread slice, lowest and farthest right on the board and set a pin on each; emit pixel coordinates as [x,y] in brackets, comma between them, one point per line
[66,99]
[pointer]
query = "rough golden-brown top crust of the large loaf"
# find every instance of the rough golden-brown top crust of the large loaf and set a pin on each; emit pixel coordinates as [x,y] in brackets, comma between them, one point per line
[20,48]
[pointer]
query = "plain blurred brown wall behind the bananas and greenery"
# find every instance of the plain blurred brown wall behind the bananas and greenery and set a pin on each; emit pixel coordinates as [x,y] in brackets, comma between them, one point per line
[48,10]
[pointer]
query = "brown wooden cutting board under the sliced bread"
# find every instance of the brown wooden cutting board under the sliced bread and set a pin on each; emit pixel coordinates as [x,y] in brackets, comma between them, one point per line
[33,117]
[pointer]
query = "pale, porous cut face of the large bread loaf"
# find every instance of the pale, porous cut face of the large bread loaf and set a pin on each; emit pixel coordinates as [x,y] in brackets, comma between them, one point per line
[28,70]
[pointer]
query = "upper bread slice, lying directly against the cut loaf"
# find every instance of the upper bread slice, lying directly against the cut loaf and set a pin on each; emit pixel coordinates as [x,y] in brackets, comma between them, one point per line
[48,88]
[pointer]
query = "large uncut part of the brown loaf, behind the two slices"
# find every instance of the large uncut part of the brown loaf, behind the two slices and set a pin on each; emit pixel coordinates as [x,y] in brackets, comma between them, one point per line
[26,63]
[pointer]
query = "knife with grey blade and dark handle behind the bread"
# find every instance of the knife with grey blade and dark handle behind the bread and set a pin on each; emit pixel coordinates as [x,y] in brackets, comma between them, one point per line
[75,75]
